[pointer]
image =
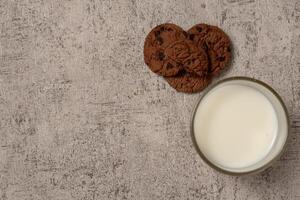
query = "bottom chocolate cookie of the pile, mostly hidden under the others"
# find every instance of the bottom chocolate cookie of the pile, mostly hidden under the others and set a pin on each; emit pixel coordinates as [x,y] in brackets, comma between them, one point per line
[188,83]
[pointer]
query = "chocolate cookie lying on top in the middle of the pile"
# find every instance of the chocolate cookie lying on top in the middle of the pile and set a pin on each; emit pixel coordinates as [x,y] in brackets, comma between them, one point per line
[193,58]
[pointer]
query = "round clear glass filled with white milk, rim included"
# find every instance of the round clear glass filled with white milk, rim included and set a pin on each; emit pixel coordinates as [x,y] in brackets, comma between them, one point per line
[240,126]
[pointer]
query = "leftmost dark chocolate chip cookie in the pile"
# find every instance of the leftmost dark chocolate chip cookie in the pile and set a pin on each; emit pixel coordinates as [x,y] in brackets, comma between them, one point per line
[155,45]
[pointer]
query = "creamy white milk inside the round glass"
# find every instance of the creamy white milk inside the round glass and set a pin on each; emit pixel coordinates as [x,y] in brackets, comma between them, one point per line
[235,126]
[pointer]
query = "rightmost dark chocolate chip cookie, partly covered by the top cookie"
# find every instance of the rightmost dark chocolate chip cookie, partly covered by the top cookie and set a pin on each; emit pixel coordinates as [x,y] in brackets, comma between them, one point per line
[215,42]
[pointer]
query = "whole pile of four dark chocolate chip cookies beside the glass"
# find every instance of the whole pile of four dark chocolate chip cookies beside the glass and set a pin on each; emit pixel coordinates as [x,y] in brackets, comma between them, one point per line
[187,60]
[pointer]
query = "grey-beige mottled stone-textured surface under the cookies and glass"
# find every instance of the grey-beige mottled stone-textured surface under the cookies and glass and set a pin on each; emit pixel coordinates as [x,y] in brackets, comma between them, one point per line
[82,117]
